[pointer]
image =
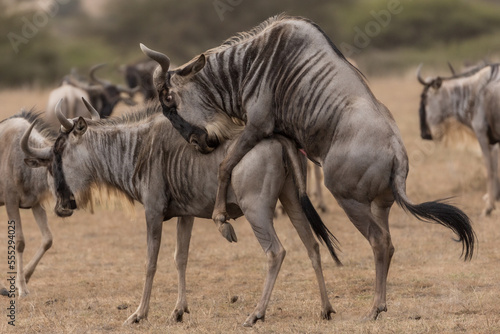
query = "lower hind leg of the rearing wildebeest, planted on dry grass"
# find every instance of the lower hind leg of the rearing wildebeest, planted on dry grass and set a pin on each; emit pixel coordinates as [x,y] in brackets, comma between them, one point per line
[372,221]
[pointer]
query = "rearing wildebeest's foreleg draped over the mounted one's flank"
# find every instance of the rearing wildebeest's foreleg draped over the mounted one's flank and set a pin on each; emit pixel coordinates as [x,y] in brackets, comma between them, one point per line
[248,139]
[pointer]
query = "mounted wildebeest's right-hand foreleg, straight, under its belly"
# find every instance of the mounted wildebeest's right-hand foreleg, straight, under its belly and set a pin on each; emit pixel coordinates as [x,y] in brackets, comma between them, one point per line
[184,229]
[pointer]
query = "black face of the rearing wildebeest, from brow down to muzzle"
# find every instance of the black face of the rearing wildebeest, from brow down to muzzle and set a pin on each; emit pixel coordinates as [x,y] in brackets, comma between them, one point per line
[192,134]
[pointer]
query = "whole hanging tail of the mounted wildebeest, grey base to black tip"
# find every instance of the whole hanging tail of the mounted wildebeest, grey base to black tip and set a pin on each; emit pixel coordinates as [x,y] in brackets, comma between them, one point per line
[322,232]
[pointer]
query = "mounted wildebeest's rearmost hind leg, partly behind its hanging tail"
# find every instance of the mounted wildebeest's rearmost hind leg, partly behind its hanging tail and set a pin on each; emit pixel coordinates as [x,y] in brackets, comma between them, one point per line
[292,207]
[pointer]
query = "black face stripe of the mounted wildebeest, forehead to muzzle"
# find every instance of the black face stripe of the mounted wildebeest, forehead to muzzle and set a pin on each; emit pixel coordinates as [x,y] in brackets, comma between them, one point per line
[65,198]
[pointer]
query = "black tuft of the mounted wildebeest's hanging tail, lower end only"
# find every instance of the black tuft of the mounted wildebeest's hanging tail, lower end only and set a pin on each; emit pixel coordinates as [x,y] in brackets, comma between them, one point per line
[324,235]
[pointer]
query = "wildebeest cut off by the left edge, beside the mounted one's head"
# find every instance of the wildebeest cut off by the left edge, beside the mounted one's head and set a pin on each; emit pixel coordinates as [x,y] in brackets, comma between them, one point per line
[22,187]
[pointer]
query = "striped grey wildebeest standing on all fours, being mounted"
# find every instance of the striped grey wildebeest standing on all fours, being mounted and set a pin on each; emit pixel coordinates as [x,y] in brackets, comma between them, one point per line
[142,156]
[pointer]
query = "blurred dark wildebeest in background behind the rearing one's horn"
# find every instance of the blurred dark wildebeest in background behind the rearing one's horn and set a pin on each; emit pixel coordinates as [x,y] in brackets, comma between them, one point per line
[140,74]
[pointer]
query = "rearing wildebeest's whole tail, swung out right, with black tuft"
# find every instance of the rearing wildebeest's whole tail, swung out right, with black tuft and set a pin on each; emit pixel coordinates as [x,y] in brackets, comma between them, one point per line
[438,212]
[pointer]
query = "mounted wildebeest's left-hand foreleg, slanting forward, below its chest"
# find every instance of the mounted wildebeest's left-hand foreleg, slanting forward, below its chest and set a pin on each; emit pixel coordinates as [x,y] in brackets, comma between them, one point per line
[154,224]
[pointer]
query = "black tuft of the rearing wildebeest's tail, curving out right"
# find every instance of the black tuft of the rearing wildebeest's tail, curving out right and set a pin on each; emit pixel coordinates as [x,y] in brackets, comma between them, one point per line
[447,215]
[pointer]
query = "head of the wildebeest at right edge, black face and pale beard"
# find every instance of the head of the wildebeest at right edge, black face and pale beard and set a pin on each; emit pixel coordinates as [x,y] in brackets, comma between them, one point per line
[432,106]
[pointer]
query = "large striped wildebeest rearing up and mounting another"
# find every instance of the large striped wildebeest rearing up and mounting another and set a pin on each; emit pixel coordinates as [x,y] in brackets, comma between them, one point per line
[285,76]
